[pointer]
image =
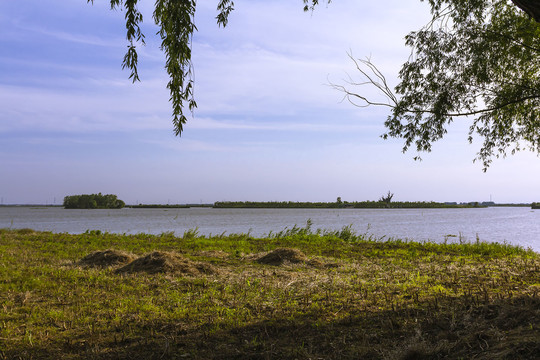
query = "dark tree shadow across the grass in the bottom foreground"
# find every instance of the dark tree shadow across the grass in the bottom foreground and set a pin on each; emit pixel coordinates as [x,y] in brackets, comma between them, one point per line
[502,329]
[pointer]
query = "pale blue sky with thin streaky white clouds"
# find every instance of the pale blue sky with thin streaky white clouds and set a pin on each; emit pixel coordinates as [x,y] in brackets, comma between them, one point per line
[268,127]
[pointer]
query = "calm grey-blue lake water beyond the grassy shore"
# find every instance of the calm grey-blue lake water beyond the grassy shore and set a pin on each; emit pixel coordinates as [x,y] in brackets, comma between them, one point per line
[520,226]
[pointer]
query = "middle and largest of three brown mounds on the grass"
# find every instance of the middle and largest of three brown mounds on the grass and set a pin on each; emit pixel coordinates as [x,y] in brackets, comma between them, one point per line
[166,262]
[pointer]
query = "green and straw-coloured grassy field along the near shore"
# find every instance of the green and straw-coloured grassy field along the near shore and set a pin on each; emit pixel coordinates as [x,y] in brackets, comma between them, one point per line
[296,294]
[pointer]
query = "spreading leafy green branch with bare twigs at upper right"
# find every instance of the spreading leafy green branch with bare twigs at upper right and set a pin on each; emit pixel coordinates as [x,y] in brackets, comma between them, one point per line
[474,59]
